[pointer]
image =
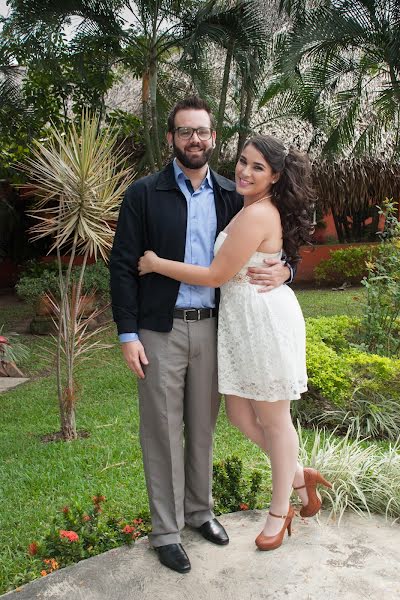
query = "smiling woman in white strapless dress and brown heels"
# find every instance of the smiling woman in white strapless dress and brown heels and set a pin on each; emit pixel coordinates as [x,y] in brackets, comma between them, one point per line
[261,337]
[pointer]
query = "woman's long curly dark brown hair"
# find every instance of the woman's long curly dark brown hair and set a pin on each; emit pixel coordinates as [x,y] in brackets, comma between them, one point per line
[292,194]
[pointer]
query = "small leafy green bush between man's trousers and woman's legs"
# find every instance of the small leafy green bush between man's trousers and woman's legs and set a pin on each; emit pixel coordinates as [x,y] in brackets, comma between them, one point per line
[231,491]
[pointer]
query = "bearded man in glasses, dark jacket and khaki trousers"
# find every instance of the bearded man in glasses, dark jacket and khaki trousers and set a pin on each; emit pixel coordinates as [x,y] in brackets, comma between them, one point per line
[168,329]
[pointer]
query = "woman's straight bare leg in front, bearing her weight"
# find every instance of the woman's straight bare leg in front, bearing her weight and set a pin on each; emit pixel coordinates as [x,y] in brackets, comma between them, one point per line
[283,449]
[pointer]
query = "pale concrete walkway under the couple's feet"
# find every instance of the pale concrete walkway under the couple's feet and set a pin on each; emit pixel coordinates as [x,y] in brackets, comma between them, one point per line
[360,560]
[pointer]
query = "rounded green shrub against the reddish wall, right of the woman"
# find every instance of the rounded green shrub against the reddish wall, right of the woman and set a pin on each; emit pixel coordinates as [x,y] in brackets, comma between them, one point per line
[348,264]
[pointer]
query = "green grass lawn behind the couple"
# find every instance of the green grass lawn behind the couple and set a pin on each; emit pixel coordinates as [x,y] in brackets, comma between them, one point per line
[37,479]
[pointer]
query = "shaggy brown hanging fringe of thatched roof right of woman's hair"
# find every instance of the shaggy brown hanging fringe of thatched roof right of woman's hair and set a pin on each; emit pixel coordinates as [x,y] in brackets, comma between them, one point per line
[354,183]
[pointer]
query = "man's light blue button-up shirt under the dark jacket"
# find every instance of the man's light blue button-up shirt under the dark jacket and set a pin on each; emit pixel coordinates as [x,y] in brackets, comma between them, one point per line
[201,230]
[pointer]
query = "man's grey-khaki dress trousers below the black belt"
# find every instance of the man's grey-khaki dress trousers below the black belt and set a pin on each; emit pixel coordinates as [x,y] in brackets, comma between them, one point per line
[178,405]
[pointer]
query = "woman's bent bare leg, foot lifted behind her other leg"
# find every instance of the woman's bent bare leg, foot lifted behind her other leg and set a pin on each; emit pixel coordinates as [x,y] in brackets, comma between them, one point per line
[242,415]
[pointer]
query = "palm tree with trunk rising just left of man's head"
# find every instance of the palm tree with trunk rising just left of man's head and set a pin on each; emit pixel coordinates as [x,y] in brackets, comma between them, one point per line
[154,33]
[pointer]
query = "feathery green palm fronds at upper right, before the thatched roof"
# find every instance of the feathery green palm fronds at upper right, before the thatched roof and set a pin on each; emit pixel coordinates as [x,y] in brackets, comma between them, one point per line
[338,66]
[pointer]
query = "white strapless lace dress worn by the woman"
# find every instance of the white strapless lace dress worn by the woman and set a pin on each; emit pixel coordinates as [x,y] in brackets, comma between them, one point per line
[261,338]
